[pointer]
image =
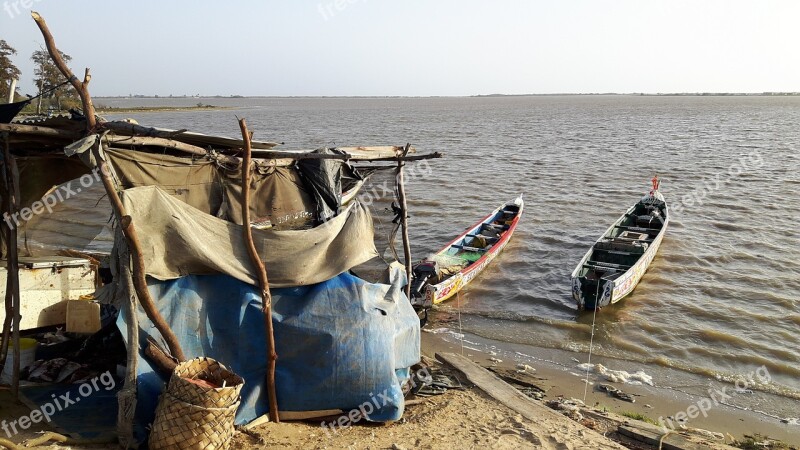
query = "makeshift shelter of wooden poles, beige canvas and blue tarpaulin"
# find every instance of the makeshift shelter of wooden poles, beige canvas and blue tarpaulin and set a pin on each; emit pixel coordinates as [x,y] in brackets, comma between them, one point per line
[182,229]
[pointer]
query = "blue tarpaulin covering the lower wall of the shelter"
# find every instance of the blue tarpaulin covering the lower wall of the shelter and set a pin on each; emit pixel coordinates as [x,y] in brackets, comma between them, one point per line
[340,343]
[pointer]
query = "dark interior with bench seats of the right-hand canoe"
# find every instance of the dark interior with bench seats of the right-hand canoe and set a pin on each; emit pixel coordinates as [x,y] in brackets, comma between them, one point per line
[619,249]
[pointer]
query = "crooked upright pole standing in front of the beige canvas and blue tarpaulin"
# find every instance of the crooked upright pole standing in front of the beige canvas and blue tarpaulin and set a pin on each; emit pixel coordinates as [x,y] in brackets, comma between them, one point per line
[266,297]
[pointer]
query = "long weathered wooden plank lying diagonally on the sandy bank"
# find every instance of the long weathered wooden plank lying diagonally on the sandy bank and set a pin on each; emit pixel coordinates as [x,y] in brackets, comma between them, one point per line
[552,423]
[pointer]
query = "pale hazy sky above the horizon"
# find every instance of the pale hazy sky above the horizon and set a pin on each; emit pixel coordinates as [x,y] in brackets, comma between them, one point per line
[416,47]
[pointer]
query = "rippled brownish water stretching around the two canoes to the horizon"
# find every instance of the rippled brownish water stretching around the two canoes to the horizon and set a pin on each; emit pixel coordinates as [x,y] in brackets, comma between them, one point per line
[722,297]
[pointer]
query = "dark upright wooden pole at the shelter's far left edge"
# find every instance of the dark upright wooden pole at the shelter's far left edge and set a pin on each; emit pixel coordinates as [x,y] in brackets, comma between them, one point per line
[12,282]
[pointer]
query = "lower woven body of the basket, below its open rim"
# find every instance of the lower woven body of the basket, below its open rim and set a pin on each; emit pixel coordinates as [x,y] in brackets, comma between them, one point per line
[183,426]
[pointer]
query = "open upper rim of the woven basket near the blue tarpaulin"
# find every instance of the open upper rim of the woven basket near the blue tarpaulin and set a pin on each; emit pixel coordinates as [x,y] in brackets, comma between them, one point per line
[209,370]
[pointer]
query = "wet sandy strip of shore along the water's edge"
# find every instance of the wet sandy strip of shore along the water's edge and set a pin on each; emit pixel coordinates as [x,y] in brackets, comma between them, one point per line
[555,376]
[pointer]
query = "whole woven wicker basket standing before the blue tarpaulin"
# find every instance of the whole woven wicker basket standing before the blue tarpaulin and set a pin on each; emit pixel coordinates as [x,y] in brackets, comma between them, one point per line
[190,416]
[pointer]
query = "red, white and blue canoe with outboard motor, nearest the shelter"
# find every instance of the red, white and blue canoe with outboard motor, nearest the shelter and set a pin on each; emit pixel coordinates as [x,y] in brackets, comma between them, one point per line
[440,276]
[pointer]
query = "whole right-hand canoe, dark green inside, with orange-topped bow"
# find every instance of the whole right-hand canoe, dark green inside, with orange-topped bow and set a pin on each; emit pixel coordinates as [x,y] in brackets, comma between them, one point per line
[615,264]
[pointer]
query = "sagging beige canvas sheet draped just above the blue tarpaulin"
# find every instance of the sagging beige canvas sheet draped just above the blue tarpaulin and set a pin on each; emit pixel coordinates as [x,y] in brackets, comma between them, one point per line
[177,239]
